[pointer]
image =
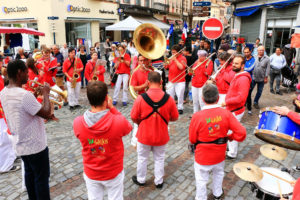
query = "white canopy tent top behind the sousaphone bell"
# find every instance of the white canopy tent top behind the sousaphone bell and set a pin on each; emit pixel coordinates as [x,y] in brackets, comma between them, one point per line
[131,23]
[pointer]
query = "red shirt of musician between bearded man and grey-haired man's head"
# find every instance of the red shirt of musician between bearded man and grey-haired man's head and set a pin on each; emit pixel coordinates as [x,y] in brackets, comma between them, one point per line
[224,78]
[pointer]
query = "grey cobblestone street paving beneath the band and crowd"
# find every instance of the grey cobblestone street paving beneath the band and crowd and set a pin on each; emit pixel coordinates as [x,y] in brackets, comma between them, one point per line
[66,178]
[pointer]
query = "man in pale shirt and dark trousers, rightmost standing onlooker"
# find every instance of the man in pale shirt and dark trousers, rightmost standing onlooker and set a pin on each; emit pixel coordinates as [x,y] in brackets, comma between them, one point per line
[277,62]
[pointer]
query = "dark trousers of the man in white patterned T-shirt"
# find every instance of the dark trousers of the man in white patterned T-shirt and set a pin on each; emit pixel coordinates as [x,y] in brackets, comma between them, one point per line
[37,173]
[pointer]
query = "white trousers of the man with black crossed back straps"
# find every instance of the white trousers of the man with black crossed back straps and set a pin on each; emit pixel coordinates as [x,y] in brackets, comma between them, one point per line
[158,157]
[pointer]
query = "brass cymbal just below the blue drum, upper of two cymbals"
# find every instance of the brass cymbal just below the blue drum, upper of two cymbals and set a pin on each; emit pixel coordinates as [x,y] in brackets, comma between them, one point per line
[273,152]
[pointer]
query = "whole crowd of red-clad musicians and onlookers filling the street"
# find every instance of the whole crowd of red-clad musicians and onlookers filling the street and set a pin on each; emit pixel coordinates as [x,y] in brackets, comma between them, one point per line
[221,80]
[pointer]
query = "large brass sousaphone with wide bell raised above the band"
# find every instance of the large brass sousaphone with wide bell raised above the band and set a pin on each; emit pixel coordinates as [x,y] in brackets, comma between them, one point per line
[150,42]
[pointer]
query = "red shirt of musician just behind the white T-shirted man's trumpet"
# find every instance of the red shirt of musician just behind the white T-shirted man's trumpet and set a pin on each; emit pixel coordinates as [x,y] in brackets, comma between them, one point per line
[48,67]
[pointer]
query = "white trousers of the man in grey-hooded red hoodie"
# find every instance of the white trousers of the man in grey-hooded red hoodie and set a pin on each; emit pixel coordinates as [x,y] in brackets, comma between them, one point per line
[114,188]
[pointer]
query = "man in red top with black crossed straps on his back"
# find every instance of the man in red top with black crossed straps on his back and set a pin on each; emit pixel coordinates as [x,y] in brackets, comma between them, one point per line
[152,111]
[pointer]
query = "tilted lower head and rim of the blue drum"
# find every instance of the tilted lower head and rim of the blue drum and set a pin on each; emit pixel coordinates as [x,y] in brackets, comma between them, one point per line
[278,139]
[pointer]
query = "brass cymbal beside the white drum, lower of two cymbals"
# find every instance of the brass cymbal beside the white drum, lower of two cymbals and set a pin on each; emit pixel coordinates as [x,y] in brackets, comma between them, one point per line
[248,171]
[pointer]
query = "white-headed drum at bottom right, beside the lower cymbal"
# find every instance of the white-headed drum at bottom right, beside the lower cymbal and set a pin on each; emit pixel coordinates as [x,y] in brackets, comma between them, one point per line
[267,188]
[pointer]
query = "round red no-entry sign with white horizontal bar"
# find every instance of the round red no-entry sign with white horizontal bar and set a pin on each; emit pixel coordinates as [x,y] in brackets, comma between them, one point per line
[212,28]
